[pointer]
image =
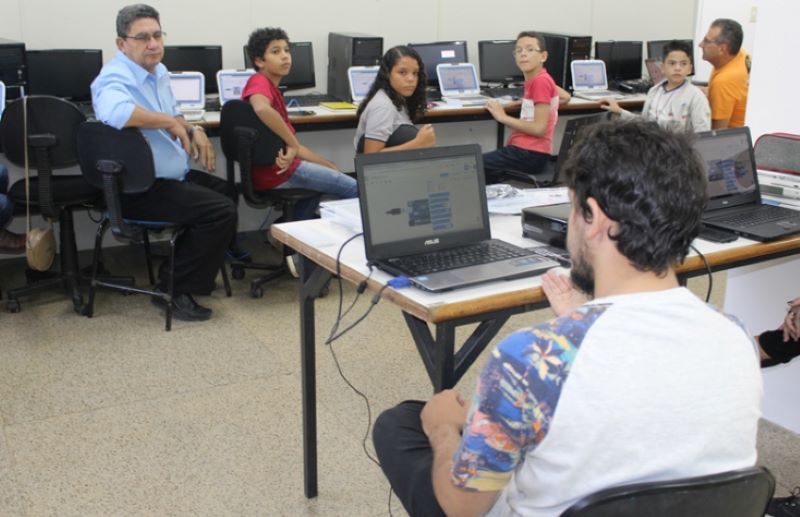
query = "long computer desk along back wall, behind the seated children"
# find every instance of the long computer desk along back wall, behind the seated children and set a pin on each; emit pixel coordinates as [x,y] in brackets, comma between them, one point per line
[327,119]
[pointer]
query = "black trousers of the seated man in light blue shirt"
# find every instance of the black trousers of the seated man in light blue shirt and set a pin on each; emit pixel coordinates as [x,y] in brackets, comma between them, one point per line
[205,205]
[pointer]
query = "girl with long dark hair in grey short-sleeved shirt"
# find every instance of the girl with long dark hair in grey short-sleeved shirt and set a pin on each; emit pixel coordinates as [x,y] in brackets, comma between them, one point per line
[396,98]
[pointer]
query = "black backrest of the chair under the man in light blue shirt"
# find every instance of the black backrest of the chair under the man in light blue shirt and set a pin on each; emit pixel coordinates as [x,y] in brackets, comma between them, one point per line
[117,161]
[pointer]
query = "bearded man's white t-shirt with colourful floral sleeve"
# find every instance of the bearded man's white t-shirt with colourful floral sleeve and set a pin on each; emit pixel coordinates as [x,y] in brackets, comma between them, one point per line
[625,389]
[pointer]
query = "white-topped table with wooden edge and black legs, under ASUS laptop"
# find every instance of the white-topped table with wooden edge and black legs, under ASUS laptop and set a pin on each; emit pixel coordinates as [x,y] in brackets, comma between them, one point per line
[490,305]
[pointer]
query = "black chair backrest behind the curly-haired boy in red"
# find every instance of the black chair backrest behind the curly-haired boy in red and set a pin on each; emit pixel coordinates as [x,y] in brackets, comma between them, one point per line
[248,141]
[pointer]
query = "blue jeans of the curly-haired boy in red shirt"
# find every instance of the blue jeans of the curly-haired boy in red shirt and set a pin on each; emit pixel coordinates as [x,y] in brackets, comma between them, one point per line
[313,176]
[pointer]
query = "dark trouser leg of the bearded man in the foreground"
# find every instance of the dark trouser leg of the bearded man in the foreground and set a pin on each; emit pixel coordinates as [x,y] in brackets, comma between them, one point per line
[406,457]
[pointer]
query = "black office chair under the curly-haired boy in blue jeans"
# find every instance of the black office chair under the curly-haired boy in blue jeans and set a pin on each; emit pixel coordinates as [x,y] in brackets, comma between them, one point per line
[246,140]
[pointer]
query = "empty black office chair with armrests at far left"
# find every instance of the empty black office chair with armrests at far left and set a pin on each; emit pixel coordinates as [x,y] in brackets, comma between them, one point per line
[52,128]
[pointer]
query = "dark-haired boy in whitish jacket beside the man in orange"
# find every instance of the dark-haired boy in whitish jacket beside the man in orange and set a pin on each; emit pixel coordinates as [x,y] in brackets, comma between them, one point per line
[675,103]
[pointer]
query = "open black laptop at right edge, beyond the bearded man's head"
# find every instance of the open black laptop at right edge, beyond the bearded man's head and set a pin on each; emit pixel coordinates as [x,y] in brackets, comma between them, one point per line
[734,198]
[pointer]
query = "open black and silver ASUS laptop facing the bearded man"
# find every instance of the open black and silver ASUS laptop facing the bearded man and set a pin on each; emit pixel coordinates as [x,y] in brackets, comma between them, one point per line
[424,207]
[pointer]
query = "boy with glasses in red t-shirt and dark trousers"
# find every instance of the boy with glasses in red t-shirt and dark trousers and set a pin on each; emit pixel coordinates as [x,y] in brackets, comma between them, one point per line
[531,142]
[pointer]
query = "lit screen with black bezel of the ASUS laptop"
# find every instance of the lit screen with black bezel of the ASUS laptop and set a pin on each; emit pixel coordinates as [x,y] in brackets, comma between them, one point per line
[421,200]
